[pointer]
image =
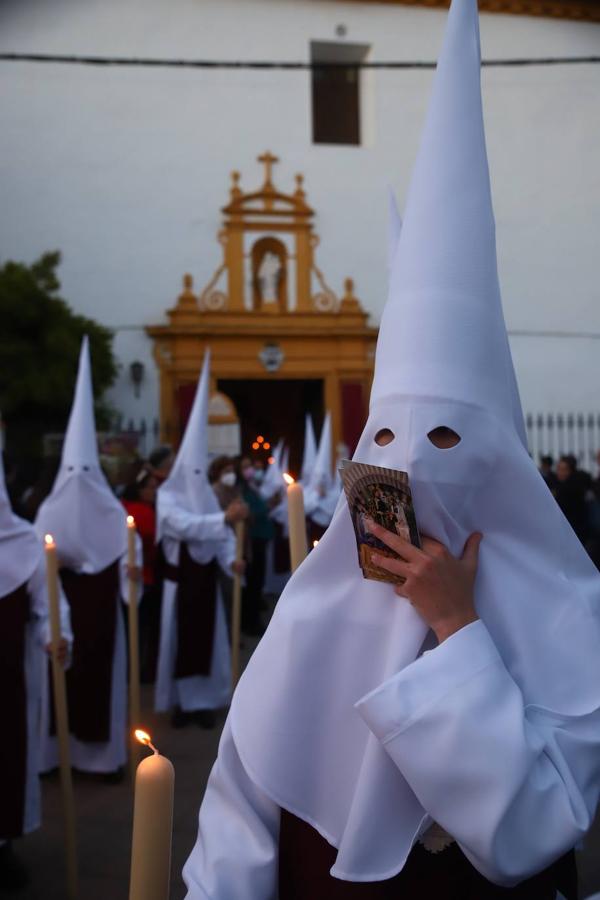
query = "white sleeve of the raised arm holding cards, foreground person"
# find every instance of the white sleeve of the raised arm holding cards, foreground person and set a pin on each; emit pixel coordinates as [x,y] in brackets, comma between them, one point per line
[515,785]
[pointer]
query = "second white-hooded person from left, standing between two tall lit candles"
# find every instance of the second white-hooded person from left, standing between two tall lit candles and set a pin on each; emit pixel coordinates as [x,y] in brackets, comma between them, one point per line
[89,526]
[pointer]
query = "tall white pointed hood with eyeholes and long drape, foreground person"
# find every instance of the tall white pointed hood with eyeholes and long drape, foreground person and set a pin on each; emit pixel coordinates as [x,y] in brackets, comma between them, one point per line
[442,360]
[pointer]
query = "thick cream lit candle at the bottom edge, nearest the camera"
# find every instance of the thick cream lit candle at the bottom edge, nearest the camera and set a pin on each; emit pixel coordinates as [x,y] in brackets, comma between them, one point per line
[152,826]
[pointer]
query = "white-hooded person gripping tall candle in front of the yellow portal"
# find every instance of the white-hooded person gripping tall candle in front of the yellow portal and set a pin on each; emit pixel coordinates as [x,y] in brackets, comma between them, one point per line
[194,537]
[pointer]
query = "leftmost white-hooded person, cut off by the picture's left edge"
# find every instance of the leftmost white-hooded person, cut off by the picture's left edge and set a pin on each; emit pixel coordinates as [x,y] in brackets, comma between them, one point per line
[24,635]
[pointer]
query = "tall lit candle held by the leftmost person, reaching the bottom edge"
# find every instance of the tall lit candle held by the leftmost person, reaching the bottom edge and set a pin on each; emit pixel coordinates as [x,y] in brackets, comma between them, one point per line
[61,717]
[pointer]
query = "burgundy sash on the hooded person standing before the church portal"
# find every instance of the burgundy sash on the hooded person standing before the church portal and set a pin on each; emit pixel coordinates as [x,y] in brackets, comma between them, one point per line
[196,604]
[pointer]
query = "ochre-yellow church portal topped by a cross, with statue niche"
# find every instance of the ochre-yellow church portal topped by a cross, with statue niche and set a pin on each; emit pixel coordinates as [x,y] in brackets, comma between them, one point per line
[283,342]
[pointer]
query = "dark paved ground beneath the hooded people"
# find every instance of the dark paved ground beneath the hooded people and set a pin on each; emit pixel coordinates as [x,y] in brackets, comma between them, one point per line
[104,823]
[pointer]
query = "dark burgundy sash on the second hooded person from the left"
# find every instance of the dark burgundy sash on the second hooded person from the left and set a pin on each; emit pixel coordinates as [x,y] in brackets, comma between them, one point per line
[93,600]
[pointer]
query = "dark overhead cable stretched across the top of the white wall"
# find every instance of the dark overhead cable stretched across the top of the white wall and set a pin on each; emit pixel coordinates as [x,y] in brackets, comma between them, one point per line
[157,62]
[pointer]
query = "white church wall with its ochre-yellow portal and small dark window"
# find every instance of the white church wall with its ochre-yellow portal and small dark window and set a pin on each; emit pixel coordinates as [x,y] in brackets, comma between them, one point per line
[125,166]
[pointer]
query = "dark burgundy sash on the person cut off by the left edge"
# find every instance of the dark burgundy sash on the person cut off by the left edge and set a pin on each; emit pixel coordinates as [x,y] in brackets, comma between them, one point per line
[14,614]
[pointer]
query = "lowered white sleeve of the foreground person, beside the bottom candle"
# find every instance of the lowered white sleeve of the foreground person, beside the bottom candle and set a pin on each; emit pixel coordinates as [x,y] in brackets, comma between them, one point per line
[236,852]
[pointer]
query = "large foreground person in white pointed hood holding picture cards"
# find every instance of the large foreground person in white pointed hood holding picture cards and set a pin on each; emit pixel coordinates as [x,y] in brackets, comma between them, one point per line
[460,711]
